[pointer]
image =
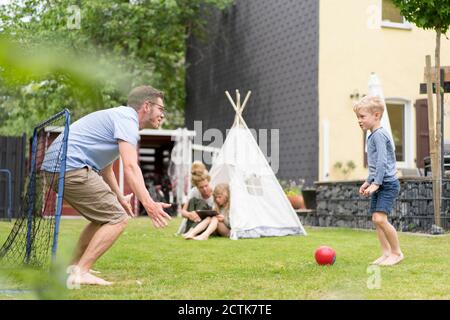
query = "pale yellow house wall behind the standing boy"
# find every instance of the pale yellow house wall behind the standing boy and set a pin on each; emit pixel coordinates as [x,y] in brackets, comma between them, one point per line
[351,46]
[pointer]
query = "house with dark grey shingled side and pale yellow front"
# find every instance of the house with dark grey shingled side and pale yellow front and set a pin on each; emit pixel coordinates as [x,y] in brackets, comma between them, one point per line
[307,62]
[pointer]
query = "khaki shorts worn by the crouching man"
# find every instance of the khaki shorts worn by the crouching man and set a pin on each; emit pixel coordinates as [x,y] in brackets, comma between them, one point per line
[87,192]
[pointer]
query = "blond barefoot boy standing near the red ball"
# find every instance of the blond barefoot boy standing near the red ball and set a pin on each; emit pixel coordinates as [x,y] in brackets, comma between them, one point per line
[382,184]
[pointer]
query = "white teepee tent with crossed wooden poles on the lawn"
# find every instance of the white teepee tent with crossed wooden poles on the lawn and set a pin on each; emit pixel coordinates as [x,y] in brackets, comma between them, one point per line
[259,206]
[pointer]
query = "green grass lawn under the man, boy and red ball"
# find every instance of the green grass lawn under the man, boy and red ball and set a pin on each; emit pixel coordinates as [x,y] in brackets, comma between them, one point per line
[146,263]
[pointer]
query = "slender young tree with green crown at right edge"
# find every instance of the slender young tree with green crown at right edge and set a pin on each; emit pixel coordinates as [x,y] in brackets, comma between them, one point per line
[432,14]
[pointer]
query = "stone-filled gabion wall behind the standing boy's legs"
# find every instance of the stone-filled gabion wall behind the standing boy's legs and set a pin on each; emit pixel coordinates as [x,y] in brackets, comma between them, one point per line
[340,205]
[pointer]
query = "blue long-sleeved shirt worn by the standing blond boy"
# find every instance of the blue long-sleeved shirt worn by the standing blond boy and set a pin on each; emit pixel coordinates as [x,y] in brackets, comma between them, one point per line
[381,158]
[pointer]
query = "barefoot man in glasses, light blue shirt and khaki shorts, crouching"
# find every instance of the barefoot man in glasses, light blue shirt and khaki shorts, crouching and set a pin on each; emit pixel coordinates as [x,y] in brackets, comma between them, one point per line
[95,142]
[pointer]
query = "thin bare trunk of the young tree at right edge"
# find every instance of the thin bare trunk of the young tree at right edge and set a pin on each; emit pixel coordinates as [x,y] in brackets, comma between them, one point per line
[439,151]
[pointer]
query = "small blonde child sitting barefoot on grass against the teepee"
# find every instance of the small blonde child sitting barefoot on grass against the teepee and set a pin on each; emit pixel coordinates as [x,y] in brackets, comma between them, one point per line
[219,223]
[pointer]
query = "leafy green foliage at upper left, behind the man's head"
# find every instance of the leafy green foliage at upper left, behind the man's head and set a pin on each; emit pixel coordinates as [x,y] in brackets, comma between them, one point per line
[87,55]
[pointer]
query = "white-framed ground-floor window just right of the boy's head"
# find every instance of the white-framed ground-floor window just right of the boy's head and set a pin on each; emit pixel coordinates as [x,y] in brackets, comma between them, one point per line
[399,112]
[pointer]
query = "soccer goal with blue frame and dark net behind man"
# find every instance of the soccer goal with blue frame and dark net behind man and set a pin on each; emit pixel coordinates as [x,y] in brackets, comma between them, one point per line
[34,237]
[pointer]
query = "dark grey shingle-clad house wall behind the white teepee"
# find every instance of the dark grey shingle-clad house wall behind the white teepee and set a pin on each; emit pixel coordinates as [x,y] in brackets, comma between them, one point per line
[271,48]
